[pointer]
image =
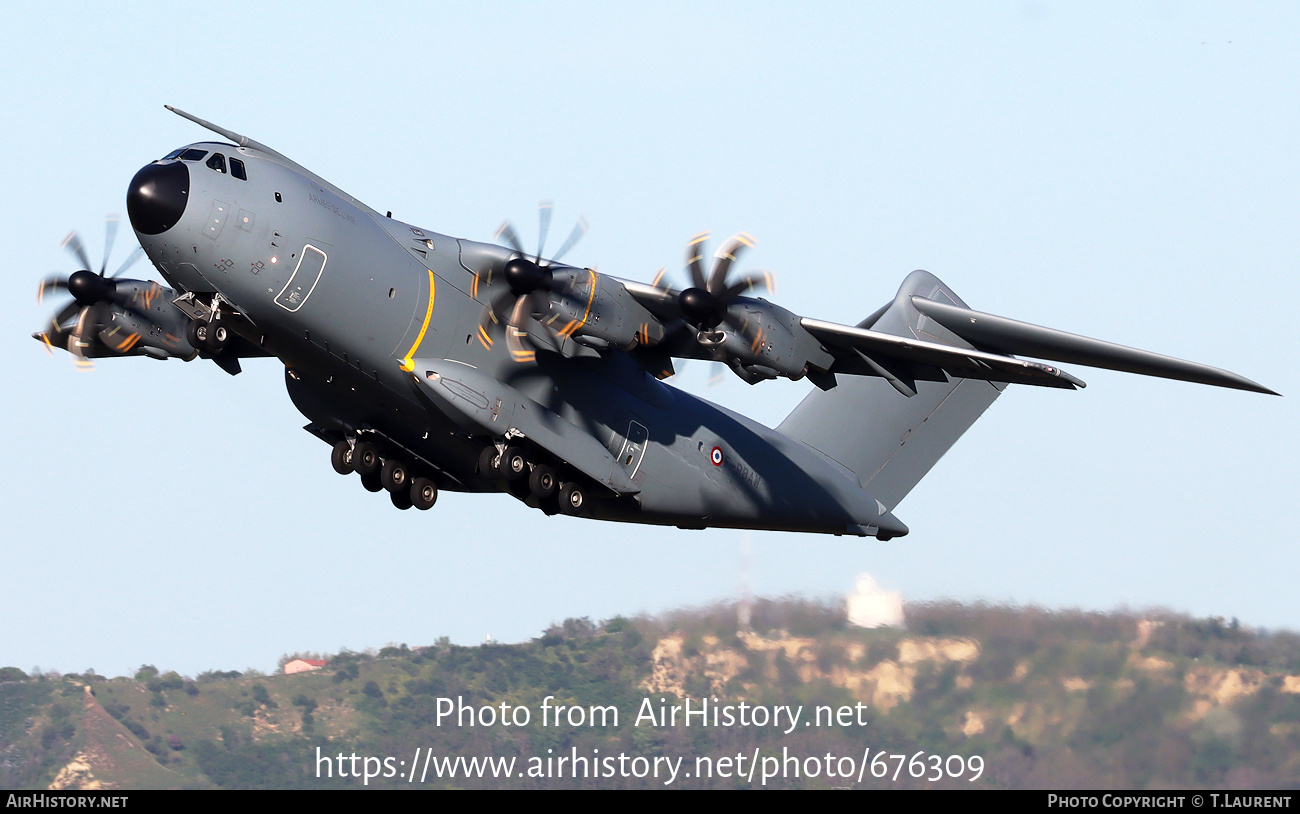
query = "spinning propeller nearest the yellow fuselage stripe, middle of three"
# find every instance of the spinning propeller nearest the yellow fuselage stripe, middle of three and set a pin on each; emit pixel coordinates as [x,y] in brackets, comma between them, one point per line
[531,283]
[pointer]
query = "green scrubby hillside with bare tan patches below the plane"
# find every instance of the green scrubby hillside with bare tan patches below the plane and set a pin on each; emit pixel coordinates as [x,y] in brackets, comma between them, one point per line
[969,696]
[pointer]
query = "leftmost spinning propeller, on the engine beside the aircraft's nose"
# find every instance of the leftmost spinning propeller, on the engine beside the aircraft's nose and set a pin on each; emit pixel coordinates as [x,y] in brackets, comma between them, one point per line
[90,292]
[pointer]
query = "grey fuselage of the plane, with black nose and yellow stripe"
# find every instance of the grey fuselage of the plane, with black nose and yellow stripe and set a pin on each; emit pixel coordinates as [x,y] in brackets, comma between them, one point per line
[352,301]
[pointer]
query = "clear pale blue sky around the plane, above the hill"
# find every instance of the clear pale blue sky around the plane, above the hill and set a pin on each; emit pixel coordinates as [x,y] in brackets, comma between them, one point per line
[1121,171]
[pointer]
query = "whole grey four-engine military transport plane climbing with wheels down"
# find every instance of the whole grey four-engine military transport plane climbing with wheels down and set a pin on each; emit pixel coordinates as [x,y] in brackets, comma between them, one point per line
[435,363]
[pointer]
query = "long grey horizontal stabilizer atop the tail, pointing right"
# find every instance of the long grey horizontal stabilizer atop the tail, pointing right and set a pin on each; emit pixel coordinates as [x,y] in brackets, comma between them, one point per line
[1004,336]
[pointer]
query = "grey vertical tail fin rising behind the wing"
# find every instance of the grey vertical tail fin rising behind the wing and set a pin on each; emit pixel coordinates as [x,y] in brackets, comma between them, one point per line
[891,441]
